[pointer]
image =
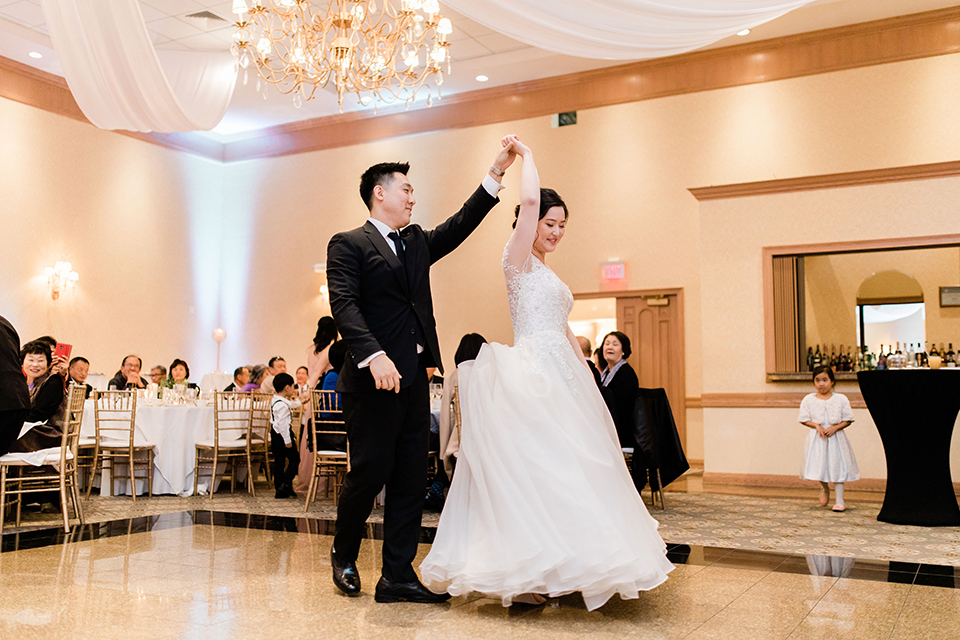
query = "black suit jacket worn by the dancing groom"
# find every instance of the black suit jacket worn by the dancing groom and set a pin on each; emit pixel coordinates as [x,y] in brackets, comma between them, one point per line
[378,306]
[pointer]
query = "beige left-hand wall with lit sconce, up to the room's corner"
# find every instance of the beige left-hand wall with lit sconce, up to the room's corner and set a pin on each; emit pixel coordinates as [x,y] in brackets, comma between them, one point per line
[121,212]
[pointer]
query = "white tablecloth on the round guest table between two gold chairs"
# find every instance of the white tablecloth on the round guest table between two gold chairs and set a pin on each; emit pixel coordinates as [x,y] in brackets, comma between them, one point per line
[175,430]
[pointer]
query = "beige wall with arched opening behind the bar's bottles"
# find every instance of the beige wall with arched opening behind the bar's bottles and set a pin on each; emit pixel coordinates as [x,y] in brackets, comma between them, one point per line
[832,282]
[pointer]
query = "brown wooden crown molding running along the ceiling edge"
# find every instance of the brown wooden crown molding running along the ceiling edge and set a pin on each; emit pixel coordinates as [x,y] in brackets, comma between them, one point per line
[884,41]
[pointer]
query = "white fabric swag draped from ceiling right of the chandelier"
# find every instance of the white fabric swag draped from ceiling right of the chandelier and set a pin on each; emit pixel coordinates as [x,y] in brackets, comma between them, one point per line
[622,29]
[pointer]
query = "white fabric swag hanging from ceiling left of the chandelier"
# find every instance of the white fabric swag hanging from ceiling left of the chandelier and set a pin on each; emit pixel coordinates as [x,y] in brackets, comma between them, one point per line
[120,81]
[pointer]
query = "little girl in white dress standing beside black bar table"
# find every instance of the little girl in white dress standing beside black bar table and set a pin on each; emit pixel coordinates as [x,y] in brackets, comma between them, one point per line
[828,456]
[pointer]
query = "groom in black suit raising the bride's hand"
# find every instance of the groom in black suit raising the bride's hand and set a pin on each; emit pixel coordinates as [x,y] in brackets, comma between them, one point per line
[379,281]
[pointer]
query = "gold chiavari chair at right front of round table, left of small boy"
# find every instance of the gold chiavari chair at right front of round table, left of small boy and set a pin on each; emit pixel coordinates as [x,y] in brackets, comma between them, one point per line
[232,413]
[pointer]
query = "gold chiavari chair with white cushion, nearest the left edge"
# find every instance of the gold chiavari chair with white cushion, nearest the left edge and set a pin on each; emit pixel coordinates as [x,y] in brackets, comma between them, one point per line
[58,470]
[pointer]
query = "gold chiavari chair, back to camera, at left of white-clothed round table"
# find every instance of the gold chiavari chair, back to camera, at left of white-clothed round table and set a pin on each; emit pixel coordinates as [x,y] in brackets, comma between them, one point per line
[115,413]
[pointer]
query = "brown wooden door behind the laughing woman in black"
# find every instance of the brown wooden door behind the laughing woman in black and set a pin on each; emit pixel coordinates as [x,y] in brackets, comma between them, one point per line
[654,324]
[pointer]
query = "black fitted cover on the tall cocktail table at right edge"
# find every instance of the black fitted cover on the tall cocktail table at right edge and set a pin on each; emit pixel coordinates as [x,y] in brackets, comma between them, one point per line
[915,411]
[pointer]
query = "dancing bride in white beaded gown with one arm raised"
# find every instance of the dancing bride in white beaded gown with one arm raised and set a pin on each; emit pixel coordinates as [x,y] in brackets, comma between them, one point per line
[541,502]
